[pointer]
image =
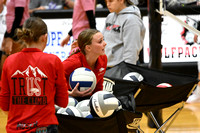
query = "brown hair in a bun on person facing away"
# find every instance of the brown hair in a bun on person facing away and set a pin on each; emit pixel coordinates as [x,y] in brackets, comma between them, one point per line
[32,29]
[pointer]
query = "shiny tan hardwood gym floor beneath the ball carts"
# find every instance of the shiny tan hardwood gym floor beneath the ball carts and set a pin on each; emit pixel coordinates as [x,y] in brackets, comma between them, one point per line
[188,121]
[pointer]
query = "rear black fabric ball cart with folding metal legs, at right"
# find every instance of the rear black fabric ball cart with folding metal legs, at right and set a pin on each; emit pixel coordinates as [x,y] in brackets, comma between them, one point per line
[149,97]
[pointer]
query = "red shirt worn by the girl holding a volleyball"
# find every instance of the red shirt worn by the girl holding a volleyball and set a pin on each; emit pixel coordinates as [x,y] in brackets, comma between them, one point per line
[79,60]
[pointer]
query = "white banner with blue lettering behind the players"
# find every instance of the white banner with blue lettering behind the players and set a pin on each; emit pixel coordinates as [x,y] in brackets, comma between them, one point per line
[57,30]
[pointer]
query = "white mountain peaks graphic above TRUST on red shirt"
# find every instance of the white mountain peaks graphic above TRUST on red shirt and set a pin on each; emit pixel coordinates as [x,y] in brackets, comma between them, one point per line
[30,70]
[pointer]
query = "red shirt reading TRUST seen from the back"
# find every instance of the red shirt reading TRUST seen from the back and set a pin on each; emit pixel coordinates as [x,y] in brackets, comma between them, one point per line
[32,82]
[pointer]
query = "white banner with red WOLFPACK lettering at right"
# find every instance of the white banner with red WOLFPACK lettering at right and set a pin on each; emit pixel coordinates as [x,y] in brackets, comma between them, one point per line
[177,42]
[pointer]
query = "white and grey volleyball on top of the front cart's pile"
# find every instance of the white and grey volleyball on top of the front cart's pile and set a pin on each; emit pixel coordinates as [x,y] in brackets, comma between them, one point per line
[103,104]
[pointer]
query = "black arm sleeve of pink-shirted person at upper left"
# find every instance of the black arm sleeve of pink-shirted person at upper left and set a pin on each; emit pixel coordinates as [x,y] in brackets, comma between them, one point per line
[16,24]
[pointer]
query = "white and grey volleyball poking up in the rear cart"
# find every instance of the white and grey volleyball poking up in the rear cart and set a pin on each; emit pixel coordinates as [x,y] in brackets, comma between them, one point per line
[133,76]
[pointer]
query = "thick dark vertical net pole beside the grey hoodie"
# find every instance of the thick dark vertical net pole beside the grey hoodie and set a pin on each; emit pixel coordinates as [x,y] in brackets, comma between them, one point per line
[154,34]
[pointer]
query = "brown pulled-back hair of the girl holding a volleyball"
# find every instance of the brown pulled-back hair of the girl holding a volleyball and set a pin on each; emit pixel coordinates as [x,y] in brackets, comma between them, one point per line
[85,38]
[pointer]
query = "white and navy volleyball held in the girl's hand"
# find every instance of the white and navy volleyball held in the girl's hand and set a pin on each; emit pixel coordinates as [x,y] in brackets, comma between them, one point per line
[85,77]
